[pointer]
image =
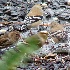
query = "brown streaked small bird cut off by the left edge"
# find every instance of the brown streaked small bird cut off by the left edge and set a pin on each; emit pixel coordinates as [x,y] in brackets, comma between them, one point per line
[9,39]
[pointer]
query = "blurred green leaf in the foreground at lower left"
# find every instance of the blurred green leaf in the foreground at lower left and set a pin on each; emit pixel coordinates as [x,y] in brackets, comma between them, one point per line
[11,59]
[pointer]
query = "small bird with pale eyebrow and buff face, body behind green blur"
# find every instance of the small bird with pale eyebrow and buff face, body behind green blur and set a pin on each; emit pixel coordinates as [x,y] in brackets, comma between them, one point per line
[38,39]
